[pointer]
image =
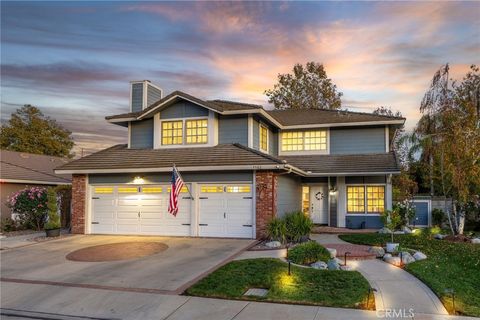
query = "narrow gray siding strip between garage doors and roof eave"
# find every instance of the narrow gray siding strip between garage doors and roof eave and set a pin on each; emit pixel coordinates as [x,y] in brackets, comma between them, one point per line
[237,176]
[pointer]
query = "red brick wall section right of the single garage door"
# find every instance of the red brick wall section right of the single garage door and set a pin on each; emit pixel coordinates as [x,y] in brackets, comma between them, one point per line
[266,203]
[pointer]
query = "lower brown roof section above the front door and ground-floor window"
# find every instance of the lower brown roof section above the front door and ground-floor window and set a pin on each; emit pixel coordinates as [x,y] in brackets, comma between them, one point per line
[354,164]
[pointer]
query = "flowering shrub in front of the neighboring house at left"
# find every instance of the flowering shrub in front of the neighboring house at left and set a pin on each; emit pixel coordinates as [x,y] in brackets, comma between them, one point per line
[31,206]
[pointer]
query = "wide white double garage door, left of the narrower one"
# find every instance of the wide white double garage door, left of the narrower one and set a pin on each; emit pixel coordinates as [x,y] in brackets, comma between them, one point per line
[139,210]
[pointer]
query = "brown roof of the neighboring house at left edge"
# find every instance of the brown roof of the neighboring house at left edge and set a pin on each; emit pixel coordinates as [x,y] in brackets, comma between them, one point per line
[21,167]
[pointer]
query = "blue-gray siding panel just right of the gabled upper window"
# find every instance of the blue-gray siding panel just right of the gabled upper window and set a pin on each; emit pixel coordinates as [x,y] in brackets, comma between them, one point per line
[233,129]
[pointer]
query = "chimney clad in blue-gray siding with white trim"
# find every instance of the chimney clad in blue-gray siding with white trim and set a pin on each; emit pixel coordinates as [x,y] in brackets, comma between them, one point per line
[143,94]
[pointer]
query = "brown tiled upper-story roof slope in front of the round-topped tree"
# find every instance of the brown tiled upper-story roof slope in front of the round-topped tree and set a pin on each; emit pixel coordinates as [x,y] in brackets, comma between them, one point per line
[323,116]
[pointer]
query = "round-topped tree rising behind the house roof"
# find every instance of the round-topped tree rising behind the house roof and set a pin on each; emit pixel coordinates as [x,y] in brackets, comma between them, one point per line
[307,88]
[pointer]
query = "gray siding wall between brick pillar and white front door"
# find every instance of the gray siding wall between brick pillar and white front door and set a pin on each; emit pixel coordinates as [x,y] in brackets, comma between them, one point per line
[289,194]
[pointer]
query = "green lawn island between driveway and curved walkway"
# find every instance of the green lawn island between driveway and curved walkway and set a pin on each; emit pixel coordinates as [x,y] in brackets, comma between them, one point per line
[304,286]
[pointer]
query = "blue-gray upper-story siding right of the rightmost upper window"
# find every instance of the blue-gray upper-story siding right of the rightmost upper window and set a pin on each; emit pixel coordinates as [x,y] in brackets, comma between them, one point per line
[355,140]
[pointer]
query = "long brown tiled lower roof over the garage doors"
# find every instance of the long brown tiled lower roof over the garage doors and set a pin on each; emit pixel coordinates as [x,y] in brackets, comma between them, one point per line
[220,157]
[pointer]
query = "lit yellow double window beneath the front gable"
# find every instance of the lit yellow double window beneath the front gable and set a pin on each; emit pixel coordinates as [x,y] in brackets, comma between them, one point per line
[180,132]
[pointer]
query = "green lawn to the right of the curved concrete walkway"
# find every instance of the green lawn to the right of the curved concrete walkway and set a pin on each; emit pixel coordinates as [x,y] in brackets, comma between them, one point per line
[448,265]
